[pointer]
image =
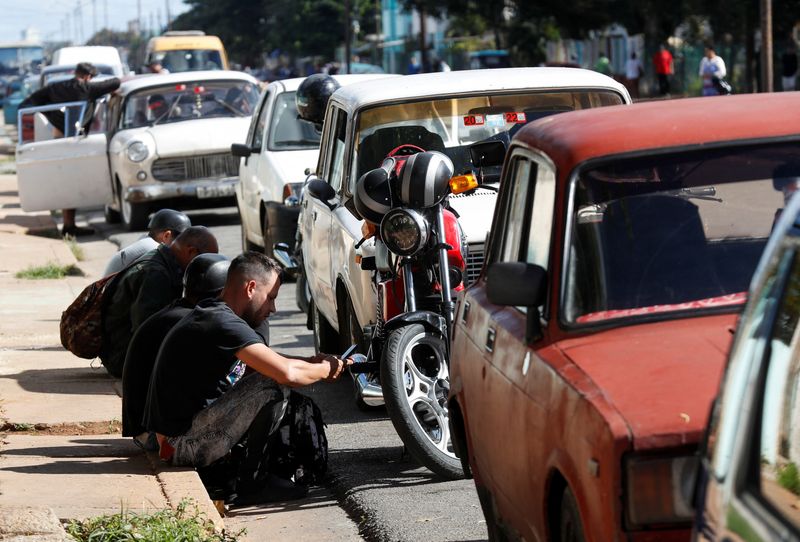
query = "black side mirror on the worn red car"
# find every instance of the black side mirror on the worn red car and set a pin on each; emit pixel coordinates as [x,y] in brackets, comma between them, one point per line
[515,284]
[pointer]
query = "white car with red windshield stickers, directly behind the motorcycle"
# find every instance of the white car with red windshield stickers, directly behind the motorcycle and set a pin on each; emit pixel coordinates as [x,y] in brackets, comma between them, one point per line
[447,112]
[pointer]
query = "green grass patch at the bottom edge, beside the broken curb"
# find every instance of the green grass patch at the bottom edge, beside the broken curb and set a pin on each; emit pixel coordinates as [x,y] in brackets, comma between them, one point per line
[185,523]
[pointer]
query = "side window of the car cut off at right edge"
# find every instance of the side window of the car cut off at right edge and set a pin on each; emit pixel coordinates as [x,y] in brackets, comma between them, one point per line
[779,458]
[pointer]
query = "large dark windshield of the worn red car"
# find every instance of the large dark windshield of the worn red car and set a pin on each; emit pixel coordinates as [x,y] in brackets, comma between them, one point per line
[676,232]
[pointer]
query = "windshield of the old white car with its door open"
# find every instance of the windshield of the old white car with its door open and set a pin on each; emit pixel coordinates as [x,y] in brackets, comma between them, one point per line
[188,101]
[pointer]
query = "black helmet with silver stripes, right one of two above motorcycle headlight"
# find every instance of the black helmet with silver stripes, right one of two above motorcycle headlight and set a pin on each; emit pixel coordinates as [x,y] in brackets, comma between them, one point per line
[424,179]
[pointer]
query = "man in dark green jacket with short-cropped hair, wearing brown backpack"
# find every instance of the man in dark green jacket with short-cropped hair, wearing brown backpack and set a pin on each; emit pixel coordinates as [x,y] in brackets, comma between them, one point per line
[144,288]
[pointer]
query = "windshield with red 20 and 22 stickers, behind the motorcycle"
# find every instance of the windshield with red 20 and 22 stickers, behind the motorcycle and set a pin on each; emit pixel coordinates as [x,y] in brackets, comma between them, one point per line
[451,125]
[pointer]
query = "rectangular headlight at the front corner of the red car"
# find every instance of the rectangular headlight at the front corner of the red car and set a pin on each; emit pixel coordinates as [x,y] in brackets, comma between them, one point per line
[658,490]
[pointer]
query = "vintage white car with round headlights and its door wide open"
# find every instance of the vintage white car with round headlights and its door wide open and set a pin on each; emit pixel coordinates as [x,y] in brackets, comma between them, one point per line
[159,141]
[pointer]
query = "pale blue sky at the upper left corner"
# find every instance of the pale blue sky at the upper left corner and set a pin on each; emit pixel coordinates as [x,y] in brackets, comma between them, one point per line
[59,20]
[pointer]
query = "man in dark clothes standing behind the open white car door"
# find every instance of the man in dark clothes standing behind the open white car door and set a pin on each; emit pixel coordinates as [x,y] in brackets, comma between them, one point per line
[78,89]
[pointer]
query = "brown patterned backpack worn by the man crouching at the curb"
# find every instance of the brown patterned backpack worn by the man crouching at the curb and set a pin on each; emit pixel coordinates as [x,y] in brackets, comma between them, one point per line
[82,323]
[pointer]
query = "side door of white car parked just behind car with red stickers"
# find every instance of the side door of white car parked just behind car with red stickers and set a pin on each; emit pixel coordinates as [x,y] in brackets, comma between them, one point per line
[248,191]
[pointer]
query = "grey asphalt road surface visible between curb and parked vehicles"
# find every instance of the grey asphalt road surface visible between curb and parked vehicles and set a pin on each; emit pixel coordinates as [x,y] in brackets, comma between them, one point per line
[385,492]
